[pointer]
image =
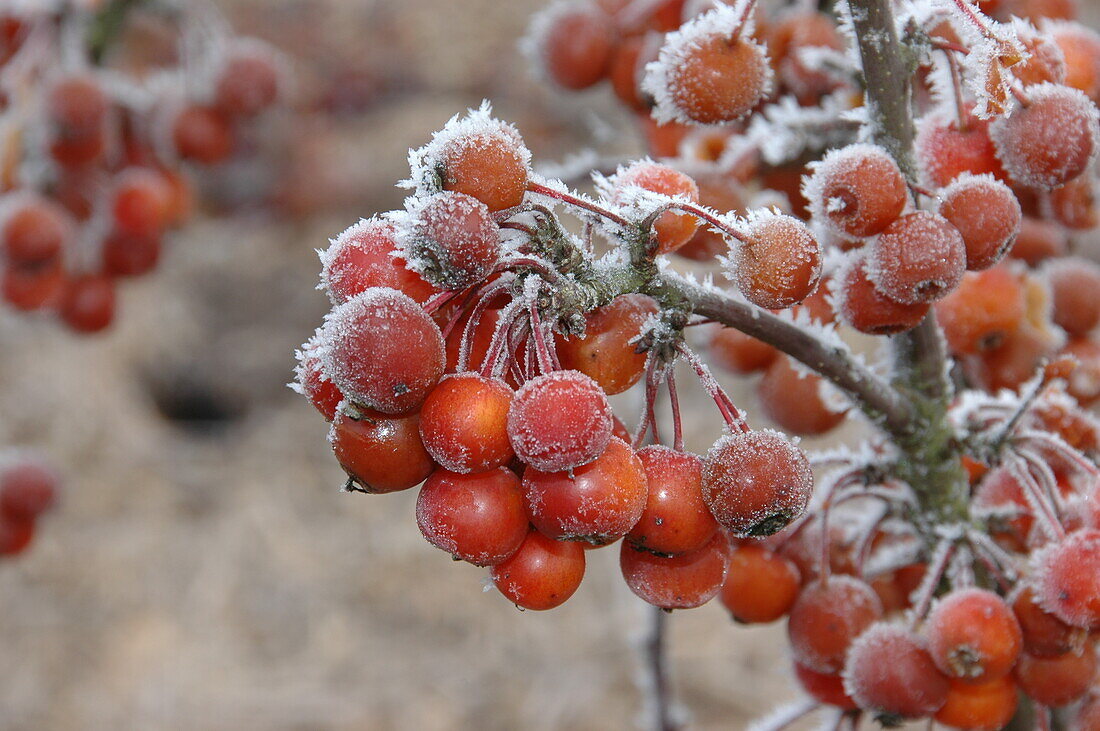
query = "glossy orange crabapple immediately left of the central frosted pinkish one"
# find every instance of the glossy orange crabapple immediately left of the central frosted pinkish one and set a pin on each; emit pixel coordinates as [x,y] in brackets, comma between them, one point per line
[464,424]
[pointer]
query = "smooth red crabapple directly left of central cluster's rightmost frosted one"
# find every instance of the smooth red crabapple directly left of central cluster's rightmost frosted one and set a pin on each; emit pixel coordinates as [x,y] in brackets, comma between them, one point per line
[676,519]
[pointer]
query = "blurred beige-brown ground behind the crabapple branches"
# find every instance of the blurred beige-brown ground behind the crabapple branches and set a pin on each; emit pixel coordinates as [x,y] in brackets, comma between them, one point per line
[204,571]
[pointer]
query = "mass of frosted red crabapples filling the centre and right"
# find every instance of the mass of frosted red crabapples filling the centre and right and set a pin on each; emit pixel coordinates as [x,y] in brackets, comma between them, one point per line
[475,341]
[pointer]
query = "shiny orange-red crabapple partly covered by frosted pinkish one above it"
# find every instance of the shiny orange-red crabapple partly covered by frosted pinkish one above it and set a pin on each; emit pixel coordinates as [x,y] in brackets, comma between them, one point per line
[598,503]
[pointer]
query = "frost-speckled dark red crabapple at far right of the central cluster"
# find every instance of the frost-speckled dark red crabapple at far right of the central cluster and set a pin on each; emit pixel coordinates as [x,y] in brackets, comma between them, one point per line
[756,483]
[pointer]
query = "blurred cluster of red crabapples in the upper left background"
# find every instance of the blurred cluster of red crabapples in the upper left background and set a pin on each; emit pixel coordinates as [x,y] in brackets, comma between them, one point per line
[98,146]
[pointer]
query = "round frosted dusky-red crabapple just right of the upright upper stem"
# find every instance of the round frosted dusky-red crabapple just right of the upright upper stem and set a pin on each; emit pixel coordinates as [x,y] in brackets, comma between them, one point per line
[918,259]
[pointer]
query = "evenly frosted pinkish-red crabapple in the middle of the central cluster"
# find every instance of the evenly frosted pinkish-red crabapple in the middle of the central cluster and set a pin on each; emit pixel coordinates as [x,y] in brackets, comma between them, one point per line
[560,420]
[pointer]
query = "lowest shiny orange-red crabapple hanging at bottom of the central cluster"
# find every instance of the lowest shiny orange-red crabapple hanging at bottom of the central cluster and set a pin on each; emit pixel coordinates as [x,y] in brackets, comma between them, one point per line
[543,574]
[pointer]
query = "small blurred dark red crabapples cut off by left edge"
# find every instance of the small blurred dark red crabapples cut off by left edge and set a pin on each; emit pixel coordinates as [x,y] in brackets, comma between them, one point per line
[28,490]
